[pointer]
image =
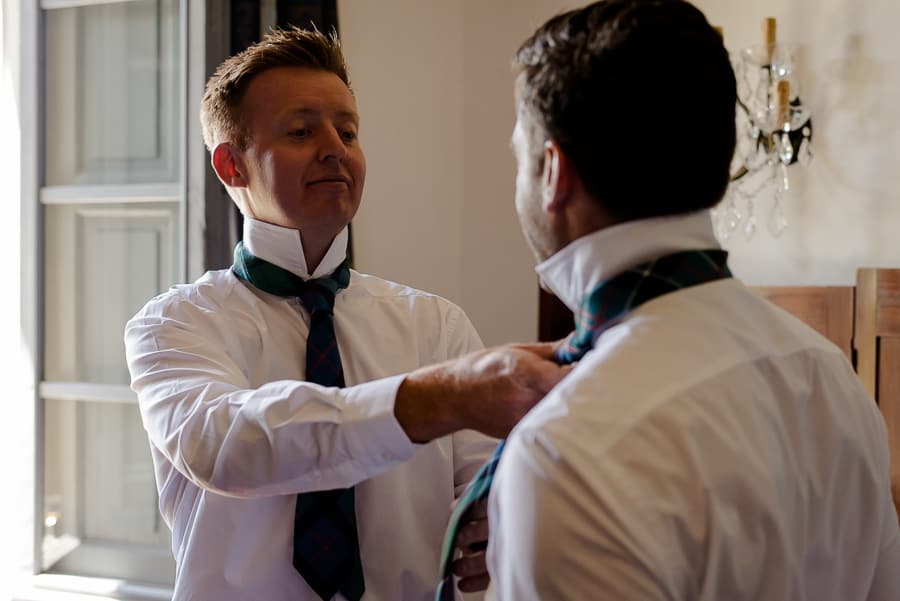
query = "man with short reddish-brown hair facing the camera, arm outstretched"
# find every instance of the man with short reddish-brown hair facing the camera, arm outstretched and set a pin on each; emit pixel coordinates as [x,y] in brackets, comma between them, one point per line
[293,462]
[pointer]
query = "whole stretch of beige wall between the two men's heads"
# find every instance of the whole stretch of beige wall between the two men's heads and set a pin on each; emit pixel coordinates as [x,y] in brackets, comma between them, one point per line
[434,84]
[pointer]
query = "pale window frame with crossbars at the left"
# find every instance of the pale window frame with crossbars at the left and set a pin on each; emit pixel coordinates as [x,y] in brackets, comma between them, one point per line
[202,50]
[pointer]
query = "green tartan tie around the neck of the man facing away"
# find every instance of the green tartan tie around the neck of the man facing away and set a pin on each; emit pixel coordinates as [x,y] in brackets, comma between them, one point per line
[602,308]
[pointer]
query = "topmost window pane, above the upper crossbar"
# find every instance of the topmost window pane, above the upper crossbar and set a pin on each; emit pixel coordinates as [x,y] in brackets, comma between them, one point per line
[112,93]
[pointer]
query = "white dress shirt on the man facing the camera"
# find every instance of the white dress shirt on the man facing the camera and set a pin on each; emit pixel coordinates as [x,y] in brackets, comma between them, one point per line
[235,432]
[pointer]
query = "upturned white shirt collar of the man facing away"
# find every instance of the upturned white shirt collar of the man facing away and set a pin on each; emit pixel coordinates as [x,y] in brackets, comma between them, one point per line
[577,268]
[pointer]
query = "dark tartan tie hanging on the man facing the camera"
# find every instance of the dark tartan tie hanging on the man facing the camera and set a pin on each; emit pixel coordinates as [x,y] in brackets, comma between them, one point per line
[326,545]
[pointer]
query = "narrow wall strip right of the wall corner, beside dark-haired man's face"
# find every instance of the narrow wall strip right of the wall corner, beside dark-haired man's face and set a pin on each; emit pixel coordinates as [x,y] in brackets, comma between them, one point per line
[499,288]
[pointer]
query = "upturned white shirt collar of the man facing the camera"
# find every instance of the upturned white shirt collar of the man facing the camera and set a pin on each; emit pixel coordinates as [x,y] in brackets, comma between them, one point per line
[282,246]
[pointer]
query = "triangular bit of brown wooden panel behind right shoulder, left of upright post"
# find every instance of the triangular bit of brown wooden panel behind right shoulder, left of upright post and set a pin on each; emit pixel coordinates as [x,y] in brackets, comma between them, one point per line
[827,309]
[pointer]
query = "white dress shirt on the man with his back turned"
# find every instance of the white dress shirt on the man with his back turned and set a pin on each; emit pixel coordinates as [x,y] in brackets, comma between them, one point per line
[709,447]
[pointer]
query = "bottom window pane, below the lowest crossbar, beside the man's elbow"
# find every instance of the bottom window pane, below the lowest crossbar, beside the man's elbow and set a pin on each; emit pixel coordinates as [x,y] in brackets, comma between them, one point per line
[100,504]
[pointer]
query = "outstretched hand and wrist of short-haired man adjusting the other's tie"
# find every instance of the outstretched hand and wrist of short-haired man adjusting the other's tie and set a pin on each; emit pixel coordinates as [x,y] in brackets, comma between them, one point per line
[488,391]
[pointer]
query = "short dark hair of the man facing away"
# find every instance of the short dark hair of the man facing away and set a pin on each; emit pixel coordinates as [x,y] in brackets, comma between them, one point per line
[640,94]
